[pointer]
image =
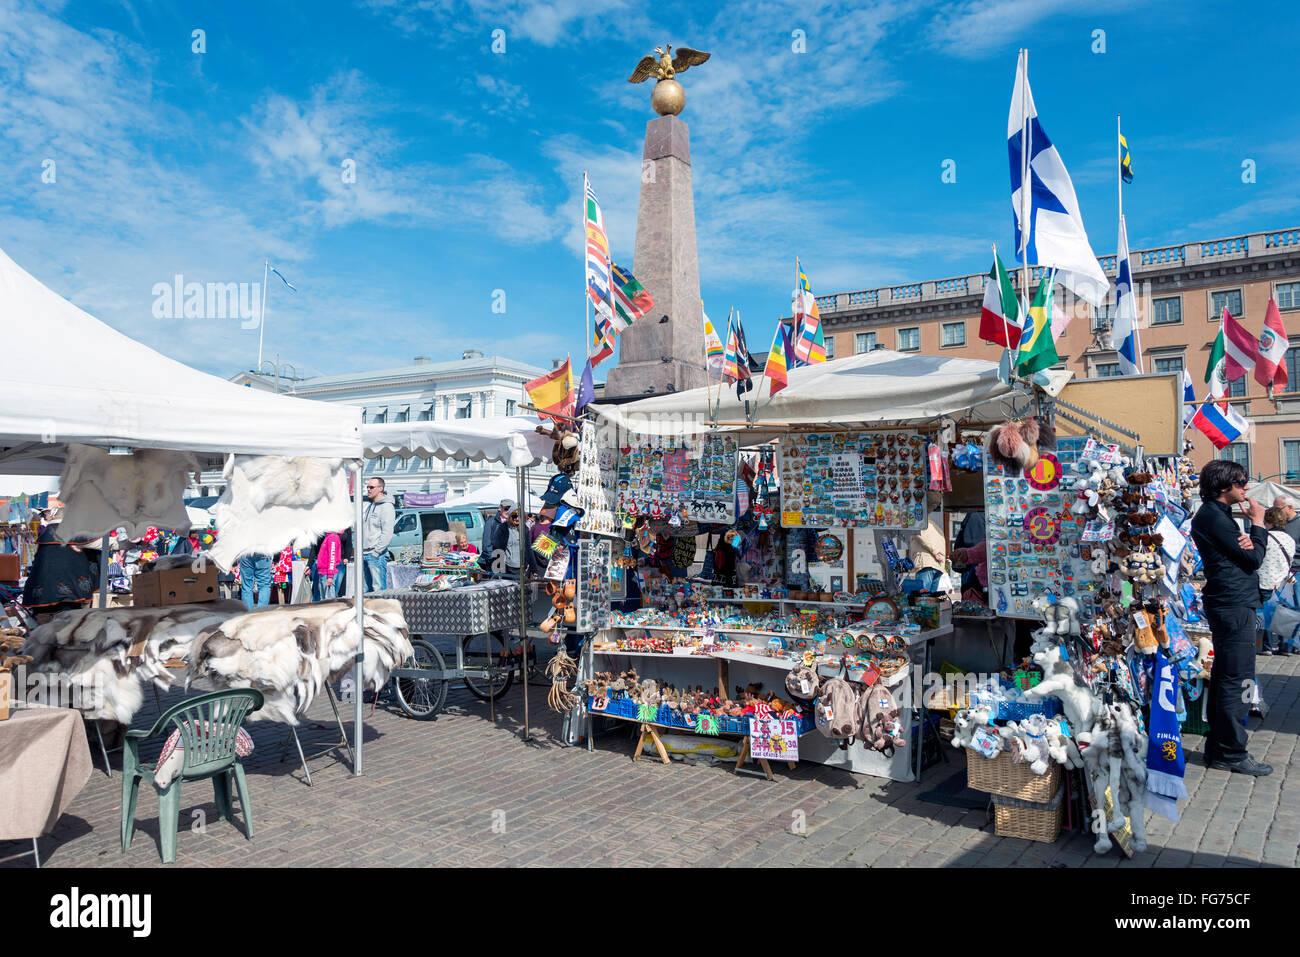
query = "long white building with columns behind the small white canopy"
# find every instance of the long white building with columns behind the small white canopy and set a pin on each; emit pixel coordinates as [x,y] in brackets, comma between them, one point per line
[474,387]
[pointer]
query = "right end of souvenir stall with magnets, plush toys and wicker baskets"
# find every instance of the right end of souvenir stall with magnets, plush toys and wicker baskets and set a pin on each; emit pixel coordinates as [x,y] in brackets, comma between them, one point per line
[1086,731]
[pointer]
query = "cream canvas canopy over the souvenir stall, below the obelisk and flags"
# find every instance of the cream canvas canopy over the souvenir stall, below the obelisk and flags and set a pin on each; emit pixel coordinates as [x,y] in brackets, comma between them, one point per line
[872,388]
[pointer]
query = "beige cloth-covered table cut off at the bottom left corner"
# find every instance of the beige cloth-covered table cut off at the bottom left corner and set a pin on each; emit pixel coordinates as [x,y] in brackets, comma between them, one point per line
[45,763]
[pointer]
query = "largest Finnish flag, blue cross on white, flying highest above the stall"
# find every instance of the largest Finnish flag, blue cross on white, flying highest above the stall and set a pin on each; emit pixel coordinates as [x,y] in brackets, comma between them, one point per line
[1048,226]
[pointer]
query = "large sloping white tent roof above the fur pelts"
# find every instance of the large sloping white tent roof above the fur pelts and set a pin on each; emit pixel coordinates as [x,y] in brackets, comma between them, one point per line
[103,388]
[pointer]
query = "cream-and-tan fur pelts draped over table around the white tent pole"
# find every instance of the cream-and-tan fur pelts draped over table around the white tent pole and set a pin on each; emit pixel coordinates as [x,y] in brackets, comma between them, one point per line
[291,652]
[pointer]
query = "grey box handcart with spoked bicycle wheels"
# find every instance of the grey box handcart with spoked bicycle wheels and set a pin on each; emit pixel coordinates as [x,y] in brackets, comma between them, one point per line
[480,616]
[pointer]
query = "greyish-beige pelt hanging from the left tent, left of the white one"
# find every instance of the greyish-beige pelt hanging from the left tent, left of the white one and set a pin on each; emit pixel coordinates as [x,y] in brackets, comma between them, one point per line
[105,492]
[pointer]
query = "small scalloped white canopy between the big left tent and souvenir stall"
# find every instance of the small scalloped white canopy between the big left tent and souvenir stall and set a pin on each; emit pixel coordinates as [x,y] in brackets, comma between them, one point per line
[512,440]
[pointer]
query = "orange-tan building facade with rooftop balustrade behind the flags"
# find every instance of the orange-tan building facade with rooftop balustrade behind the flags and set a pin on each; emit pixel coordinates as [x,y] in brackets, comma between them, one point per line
[1182,292]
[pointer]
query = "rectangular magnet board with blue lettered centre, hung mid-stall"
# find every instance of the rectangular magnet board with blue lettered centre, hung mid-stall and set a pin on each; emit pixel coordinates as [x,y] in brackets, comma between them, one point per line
[853,480]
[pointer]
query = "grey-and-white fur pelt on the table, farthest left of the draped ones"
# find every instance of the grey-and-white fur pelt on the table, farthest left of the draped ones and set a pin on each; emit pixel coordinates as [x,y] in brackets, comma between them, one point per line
[90,651]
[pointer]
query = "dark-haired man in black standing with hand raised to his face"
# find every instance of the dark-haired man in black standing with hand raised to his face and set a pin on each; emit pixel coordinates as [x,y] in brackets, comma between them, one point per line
[1232,596]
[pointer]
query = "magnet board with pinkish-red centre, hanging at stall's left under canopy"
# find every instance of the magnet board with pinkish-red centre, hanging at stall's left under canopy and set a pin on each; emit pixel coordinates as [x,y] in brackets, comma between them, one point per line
[694,478]
